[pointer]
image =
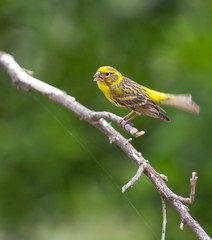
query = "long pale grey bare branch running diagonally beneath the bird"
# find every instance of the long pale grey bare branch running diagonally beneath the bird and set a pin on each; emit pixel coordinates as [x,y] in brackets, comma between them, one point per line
[24,81]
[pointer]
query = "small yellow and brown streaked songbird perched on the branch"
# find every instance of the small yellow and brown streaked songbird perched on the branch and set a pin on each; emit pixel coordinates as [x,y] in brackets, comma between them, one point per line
[124,92]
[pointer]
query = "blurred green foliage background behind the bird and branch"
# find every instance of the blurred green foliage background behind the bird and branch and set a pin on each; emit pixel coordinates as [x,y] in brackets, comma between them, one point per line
[59,177]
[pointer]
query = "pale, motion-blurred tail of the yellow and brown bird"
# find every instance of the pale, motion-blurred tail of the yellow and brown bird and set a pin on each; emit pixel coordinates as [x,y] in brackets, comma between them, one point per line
[182,101]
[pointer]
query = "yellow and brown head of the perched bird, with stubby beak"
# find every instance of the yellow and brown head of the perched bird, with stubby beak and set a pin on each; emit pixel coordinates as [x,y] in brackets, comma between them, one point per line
[107,75]
